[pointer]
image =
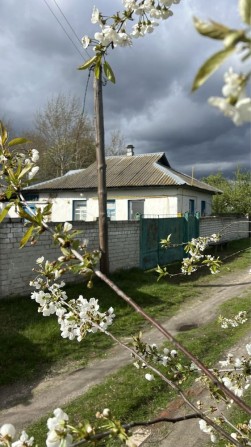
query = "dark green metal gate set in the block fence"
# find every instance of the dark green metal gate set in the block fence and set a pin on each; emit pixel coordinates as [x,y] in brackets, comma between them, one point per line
[152,231]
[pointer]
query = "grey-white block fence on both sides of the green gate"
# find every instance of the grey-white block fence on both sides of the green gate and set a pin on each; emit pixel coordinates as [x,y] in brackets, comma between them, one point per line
[124,247]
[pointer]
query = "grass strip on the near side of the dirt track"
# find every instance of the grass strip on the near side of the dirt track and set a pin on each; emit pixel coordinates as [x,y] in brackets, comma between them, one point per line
[148,399]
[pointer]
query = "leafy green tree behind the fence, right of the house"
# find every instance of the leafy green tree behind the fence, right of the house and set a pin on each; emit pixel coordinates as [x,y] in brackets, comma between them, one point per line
[236,192]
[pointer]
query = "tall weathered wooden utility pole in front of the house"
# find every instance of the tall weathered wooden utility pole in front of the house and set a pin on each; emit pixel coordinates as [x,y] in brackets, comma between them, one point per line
[101,170]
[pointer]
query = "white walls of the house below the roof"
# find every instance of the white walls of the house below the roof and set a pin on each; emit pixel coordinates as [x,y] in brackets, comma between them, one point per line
[157,202]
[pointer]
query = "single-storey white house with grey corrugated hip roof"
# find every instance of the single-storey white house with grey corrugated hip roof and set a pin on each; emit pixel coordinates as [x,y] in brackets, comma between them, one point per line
[137,185]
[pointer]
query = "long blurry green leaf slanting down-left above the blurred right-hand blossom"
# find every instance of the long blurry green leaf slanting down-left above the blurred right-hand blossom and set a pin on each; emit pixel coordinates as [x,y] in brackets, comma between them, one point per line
[210,66]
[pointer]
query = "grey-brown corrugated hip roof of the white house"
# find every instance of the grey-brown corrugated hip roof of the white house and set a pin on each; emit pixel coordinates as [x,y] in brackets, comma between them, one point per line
[125,171]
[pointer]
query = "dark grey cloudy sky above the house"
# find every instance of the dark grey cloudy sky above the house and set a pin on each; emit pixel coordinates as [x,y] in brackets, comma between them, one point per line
[151,103]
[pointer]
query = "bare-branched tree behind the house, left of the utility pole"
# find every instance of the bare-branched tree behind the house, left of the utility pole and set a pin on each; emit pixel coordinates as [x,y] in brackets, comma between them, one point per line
[64,137]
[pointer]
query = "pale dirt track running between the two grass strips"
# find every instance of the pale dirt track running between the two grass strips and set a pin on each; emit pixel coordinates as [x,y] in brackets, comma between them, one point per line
[22,405]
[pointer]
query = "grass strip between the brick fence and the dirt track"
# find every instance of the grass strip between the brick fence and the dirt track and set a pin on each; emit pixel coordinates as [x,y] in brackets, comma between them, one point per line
[31,345]
